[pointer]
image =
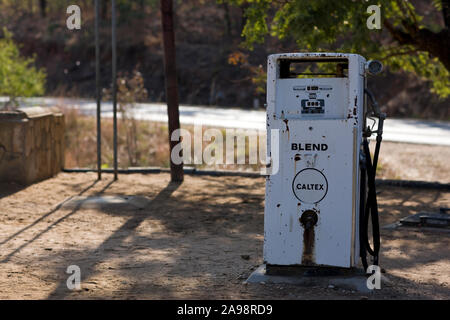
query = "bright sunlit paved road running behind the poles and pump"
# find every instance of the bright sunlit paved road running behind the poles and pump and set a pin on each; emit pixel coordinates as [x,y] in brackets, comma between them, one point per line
[397,130]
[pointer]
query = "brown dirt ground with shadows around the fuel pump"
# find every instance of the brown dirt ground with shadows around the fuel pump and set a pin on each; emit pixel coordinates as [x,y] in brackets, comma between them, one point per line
[197,240]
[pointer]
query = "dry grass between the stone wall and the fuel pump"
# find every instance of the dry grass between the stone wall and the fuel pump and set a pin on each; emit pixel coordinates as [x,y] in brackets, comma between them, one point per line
[152,148]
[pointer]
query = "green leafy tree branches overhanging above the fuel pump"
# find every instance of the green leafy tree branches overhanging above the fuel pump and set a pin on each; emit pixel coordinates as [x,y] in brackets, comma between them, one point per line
[323,25]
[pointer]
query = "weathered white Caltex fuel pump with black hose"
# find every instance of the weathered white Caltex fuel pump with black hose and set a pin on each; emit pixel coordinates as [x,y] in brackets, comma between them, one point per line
[320,198]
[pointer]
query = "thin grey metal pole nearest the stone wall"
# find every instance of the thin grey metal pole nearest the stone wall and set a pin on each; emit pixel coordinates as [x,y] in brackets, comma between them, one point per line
[97,85]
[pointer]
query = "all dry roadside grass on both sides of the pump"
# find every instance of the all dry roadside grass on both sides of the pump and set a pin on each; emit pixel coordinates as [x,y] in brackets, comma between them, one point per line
[397,160]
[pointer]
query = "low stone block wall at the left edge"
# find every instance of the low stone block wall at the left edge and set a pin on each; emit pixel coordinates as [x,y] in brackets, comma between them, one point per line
[31,144]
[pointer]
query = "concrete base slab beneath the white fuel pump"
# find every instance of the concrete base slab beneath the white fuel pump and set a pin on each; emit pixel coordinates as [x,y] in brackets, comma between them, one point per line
[352,279]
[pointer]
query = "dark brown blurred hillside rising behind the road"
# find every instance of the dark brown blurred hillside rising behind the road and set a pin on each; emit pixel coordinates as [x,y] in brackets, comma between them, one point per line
[207,34]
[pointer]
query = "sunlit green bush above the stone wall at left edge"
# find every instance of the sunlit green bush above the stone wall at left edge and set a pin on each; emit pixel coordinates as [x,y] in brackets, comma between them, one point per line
[18,76]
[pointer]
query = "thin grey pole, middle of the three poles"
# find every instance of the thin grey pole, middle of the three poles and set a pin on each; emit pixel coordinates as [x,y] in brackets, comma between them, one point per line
[114,82]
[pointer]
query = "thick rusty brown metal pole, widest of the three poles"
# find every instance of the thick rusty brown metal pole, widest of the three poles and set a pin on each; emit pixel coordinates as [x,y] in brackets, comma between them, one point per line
[176,170]
